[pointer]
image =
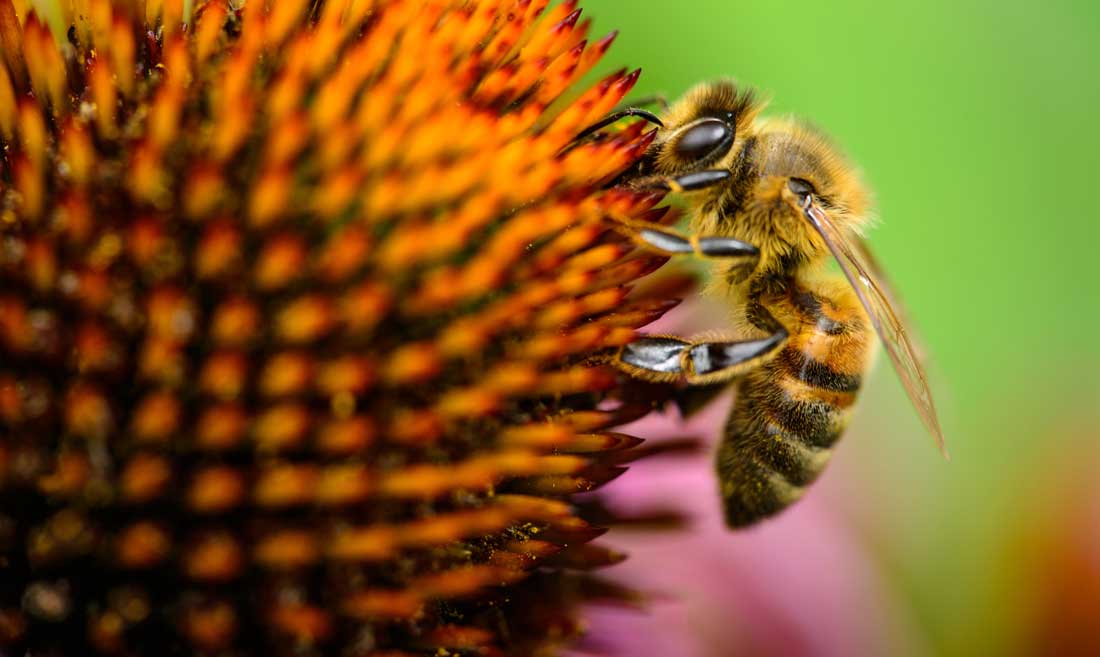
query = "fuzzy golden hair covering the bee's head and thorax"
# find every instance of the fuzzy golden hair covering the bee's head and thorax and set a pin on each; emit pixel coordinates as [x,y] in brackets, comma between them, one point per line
[757,205]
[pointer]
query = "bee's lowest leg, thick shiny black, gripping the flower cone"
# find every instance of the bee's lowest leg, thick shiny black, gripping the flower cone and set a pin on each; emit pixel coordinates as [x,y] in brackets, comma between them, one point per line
[670,358]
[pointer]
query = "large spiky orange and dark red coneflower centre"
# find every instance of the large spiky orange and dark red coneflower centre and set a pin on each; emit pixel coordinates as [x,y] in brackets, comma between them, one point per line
[301,315]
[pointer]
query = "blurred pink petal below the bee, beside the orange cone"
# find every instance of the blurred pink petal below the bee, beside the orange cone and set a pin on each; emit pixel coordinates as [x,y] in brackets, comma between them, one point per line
[801,585]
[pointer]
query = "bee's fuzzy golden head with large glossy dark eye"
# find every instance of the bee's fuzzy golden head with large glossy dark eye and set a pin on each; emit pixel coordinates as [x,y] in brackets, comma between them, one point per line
[705,130]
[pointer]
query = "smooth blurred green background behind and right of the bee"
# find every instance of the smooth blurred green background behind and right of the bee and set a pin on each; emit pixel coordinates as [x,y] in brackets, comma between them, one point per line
[976,124]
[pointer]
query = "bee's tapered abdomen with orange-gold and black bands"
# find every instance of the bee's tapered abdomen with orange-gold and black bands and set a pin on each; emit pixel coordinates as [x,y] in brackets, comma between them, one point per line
[787,418]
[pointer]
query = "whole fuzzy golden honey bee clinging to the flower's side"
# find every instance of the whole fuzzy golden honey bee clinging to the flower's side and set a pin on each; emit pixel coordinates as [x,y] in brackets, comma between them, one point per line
[771,202]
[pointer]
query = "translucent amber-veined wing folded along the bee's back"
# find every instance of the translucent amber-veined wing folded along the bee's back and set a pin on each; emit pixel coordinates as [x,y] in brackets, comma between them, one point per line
[886,313]
